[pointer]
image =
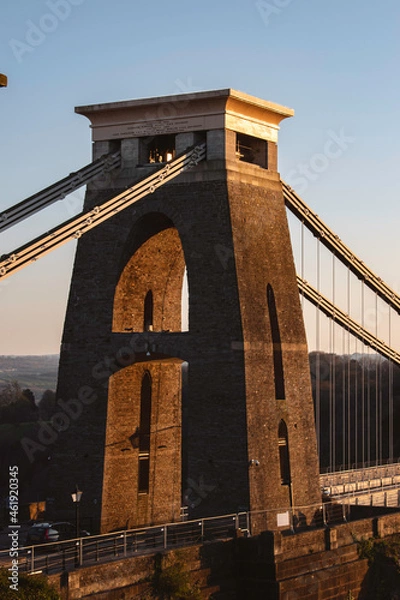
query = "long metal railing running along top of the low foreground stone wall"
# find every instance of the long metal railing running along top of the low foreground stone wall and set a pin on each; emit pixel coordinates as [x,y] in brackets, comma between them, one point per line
[66,555]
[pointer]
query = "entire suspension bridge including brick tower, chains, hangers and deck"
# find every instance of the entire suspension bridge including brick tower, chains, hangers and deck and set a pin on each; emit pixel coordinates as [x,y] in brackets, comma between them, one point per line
[215,425]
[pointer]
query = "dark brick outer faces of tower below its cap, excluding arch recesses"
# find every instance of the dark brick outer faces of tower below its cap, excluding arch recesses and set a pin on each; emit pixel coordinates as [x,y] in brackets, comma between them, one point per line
[234,234]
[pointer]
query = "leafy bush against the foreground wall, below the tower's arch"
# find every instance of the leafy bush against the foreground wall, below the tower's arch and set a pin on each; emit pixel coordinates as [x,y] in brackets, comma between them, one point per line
[173,583]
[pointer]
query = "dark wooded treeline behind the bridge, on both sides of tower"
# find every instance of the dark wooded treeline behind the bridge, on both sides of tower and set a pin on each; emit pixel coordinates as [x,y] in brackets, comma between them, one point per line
[353,411]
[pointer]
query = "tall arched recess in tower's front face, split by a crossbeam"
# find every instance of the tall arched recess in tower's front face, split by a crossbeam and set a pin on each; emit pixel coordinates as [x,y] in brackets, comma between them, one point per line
[144,424]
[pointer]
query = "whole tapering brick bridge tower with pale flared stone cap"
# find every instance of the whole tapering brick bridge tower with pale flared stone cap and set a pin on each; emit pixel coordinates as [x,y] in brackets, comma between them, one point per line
[184,353]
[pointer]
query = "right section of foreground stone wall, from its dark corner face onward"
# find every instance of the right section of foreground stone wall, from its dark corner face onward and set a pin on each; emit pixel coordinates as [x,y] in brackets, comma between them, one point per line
[320,564]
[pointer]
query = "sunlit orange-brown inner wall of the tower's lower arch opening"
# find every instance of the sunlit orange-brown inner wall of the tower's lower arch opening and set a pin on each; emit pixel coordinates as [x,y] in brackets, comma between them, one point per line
[123,505]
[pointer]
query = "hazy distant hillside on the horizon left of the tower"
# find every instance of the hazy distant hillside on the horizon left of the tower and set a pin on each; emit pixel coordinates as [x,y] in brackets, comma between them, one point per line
[38,373]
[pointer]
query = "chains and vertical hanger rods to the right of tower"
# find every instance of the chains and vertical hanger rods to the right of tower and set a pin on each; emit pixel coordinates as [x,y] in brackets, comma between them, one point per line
[355,321]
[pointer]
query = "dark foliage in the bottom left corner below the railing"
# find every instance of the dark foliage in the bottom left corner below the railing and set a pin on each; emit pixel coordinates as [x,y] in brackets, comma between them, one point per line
[33,587]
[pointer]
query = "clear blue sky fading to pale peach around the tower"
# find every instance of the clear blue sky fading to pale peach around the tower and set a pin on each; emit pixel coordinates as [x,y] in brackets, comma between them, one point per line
[335,63]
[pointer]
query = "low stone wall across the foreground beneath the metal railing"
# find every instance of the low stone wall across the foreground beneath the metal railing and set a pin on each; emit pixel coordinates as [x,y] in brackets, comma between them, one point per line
[271,566]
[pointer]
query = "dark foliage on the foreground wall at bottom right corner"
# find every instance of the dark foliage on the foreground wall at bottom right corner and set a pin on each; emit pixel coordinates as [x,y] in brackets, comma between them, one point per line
[384,560]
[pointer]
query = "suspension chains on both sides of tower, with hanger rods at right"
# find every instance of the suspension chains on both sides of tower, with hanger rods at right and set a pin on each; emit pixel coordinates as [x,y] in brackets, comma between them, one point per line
[353,378]
